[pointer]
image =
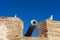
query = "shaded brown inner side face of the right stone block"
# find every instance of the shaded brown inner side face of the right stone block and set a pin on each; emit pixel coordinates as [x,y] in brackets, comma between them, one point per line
[42,29]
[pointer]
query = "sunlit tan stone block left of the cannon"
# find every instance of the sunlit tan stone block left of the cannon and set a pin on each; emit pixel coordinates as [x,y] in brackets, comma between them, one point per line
[11,28]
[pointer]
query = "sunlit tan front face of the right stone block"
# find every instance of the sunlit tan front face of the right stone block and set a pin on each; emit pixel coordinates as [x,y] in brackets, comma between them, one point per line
[53,29]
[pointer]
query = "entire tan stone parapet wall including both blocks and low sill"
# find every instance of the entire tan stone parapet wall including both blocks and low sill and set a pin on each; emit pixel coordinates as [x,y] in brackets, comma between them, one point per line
[12,29]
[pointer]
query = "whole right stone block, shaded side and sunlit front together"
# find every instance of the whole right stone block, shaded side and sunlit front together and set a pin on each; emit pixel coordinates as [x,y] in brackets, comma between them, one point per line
[49,29]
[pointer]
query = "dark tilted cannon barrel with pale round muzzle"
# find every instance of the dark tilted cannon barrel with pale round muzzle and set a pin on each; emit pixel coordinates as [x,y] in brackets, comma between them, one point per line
[31,28]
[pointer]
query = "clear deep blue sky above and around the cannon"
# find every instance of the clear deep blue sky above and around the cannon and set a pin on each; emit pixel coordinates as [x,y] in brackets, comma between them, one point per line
[30,9]
